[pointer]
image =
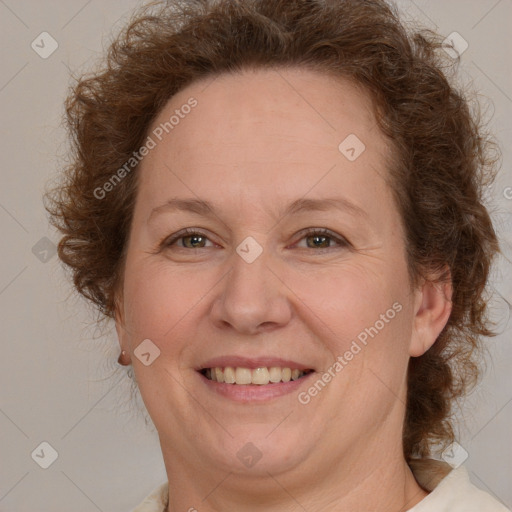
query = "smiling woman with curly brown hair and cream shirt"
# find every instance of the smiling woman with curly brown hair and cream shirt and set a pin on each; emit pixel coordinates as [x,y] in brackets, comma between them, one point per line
[279,204]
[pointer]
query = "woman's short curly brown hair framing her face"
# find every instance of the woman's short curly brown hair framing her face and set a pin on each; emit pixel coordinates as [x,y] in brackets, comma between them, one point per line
[443,158]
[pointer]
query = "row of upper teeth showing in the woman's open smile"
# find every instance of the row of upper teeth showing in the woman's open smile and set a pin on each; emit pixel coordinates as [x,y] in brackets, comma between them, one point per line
[261,376]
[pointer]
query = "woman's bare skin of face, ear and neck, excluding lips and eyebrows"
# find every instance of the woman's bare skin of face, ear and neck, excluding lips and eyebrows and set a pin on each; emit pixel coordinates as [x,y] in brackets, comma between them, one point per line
[257,141]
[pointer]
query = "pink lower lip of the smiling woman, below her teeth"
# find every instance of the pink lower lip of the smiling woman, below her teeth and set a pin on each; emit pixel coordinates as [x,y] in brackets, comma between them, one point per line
[254,392]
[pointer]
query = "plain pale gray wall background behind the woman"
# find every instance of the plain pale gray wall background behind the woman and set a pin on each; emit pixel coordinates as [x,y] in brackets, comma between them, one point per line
[58,381]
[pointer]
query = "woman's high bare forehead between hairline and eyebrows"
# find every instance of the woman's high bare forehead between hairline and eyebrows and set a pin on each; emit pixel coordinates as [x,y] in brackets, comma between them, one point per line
[262,132]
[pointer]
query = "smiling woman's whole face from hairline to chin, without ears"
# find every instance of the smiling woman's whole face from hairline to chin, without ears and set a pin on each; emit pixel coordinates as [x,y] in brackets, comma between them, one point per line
[258,286]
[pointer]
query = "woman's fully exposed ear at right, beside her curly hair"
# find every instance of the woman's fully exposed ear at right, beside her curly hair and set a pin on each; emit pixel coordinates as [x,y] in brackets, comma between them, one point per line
[432,307]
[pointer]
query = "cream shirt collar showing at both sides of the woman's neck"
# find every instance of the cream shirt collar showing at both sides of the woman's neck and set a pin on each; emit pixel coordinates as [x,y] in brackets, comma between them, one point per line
[450,491]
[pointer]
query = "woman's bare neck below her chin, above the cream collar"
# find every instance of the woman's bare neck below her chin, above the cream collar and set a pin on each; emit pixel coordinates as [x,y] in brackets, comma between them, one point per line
[366,479]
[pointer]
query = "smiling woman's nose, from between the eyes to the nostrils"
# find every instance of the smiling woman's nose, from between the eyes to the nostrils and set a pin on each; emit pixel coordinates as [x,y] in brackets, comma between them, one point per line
[252,297]
